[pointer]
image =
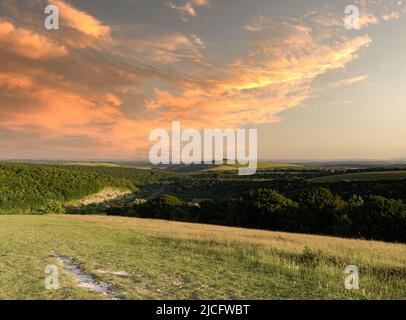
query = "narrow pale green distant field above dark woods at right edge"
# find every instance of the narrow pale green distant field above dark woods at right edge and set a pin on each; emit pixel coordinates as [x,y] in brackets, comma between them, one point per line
[363,176]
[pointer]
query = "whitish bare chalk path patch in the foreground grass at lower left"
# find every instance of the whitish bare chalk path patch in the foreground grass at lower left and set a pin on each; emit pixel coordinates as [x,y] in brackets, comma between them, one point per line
[86,281]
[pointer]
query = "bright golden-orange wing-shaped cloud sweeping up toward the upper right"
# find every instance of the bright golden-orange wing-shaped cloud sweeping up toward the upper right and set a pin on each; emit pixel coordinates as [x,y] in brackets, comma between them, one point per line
[256,88]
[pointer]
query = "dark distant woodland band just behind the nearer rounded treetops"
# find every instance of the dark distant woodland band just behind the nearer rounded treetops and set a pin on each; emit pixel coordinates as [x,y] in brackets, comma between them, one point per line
[217,187]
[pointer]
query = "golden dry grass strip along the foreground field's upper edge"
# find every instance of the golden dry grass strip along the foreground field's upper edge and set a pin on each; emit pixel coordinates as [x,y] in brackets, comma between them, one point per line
[376,252]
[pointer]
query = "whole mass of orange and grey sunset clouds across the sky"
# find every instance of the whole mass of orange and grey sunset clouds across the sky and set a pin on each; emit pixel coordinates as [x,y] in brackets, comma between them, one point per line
[111,85]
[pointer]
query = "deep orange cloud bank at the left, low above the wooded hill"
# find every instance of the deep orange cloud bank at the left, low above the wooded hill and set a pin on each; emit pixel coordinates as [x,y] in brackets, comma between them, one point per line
[54,113]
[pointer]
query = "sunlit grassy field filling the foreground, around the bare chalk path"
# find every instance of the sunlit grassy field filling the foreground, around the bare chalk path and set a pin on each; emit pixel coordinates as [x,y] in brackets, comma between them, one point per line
[170,260]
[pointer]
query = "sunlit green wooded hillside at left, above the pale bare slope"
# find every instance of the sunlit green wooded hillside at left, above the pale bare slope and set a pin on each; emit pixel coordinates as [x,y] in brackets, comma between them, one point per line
[35,188]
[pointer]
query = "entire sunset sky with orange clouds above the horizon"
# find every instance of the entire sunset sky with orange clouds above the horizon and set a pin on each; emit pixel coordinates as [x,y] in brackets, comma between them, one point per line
[116,70]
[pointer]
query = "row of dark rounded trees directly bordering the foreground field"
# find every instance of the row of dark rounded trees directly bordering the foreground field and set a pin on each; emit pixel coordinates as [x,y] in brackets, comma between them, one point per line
[317,211]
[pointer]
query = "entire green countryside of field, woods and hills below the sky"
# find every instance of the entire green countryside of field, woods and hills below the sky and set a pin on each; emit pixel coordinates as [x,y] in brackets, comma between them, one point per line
[146,254]
